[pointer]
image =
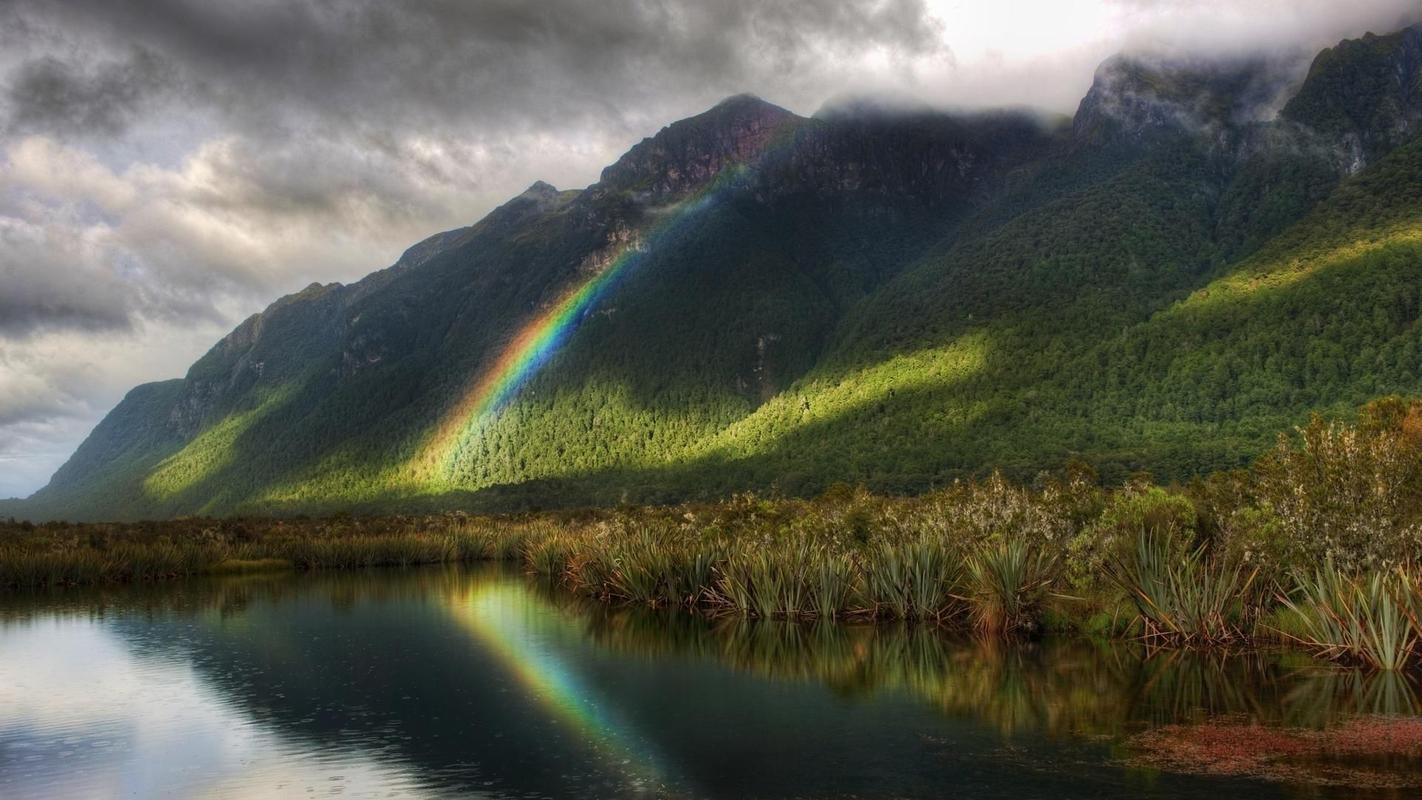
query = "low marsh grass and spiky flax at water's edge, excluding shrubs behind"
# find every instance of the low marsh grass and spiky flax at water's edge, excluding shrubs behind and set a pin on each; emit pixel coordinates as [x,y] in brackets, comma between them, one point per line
[786,561]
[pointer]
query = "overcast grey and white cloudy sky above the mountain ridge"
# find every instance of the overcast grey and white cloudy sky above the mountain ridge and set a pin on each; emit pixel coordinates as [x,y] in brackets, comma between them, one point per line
[170,167]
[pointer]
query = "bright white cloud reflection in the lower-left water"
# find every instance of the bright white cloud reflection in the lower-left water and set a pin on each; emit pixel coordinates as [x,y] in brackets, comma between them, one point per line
[87,714]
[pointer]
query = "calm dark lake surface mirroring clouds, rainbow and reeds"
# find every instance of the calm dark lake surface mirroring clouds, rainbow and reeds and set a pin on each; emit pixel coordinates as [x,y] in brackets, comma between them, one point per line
[484,684]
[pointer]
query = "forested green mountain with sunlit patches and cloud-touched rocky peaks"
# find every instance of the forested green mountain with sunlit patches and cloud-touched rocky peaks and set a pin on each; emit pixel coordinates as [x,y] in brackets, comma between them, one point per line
[1208,252]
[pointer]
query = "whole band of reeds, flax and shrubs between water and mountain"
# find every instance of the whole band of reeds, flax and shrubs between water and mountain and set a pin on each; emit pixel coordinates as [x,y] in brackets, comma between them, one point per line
[1315,546]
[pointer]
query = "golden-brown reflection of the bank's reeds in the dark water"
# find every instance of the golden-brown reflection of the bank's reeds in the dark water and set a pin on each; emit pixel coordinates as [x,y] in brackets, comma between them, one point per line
[1059,687]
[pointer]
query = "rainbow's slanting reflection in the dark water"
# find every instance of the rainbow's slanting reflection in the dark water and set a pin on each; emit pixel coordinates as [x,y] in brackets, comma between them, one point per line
[518,630]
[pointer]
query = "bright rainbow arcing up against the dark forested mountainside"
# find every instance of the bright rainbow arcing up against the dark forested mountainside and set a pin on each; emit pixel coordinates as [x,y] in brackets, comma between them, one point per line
[540,339]
